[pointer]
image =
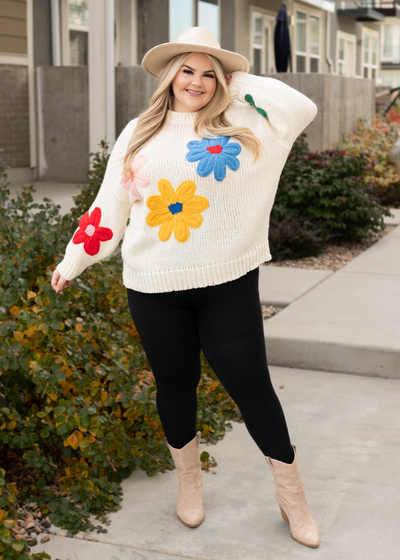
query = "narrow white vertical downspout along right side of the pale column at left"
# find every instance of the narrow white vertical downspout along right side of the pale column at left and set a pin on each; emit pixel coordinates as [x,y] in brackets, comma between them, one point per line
[110,72]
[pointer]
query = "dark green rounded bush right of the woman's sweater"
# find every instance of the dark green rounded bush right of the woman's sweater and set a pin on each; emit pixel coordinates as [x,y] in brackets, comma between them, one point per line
[322,196]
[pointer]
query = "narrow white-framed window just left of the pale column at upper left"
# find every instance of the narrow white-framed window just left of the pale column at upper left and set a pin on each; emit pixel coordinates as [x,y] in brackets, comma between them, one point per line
[78,25]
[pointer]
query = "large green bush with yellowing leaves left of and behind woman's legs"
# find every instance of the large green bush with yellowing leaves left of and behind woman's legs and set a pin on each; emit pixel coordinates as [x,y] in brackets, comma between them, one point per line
[77,395]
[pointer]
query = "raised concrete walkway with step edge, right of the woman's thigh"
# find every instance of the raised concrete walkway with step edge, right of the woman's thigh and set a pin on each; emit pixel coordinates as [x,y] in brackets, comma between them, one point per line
[349,322]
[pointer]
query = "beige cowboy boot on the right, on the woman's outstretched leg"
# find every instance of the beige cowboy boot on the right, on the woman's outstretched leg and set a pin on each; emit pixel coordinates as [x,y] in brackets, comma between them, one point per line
[292,501]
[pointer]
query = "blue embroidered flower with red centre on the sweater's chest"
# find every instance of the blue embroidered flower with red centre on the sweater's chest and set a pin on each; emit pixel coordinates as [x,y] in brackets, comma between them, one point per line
[214,155]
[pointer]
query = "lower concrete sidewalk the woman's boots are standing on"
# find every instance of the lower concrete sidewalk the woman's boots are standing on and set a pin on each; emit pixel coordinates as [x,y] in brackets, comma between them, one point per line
[346,431]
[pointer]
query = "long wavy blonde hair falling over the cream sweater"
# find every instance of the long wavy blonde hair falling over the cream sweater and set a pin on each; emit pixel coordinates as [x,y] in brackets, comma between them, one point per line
[211,117]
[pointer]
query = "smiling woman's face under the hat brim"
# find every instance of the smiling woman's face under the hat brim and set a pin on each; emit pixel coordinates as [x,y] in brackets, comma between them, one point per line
[195,75]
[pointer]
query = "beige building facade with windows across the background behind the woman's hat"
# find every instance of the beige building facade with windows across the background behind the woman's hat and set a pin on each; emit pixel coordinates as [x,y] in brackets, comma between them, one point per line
[87,55]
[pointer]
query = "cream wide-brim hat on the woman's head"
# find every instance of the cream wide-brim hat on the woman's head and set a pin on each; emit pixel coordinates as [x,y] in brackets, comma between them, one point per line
[193,39]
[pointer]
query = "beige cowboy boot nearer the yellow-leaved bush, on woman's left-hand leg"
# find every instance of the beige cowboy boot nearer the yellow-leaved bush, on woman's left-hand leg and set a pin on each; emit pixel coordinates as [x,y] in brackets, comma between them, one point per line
[189,507]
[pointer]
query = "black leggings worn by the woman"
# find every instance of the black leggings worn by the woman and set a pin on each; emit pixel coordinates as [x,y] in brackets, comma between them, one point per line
[225,321]
